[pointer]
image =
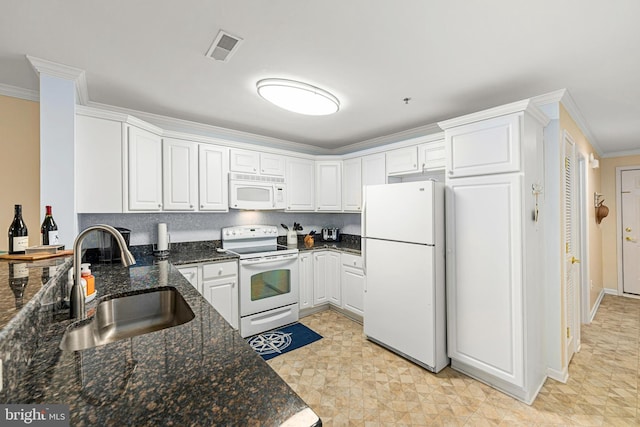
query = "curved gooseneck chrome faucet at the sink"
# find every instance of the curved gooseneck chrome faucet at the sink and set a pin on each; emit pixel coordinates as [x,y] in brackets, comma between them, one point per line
[76,299]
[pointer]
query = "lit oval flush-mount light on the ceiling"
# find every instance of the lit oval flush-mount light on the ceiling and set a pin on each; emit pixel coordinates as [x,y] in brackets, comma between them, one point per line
[298,97]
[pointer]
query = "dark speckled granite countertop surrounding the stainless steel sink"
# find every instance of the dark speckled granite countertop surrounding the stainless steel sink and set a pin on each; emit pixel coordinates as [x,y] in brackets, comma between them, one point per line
[199,373]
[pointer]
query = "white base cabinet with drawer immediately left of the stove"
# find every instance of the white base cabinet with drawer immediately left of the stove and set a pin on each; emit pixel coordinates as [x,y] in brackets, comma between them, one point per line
[220,288]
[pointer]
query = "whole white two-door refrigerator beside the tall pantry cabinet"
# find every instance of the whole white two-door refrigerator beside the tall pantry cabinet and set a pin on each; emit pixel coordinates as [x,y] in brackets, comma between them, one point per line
[403,250]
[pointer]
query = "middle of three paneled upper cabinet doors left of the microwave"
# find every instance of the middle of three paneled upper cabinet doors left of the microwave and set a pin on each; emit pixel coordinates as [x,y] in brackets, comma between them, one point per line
[179,175]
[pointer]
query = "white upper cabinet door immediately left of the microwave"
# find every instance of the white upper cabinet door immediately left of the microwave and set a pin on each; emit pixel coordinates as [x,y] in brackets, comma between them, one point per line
[213,178]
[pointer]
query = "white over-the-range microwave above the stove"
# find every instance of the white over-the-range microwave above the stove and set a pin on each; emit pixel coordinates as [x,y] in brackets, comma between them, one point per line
[256,192]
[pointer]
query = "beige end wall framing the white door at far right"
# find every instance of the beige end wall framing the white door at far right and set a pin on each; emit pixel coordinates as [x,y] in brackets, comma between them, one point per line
[609,224]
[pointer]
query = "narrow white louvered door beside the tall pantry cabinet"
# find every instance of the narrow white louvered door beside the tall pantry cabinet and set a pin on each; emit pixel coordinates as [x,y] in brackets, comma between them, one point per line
[572,247]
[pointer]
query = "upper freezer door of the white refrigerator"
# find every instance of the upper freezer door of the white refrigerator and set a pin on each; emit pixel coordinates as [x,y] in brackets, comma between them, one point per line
[401,212]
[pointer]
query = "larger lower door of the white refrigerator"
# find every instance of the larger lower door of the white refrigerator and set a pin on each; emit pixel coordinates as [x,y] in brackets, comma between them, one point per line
[399,298]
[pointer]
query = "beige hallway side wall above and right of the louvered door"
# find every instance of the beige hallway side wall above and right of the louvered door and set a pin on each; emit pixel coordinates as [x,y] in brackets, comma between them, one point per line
[594,235]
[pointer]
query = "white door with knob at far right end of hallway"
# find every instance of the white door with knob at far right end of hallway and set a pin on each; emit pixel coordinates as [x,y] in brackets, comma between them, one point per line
[630,187]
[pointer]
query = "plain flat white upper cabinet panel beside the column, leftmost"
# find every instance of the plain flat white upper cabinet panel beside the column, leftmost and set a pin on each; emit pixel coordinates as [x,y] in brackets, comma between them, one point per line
[98,141]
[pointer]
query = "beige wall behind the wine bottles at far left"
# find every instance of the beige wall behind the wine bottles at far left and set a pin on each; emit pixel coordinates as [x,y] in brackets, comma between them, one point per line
[20,171]
